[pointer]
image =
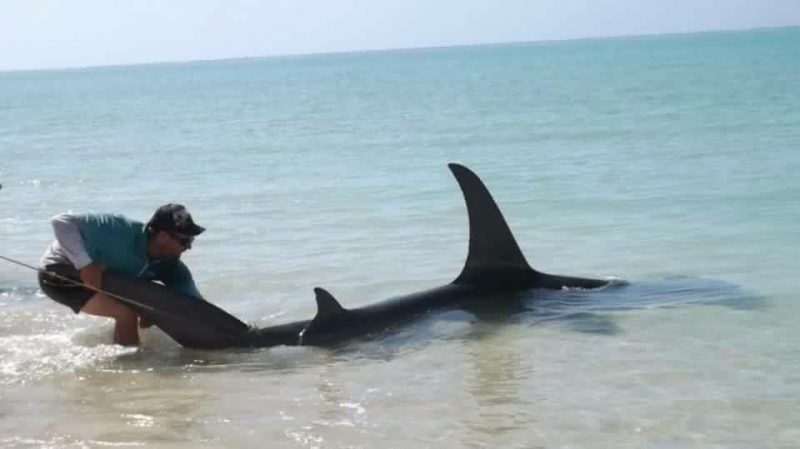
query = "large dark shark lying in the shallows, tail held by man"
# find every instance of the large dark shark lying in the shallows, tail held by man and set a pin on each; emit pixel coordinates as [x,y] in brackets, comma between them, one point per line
[495,270]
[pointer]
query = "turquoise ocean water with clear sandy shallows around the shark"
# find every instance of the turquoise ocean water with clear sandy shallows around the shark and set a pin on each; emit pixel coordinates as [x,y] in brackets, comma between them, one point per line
[671,162]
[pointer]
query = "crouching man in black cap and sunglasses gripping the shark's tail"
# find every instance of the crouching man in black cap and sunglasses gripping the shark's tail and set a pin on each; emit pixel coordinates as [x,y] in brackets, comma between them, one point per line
[87,245]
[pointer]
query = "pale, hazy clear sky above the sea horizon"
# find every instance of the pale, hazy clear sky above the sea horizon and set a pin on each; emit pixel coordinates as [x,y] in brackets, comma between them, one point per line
[75,33]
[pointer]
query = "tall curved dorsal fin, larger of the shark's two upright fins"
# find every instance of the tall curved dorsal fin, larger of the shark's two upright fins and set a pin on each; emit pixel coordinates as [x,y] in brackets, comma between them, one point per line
[494,255]
